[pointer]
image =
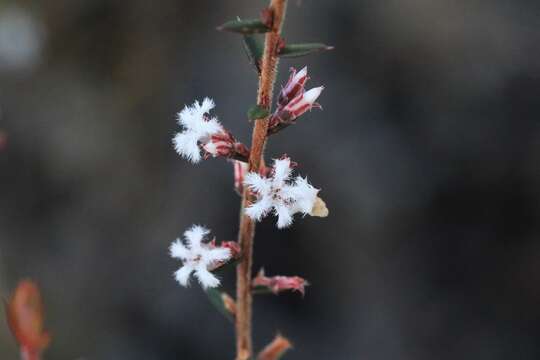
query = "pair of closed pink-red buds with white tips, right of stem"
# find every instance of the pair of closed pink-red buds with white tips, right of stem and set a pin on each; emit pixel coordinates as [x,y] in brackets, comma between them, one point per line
[294,101]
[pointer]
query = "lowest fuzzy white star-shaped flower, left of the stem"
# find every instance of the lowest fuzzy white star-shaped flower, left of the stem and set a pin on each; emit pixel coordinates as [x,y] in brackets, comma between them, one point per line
[197,257]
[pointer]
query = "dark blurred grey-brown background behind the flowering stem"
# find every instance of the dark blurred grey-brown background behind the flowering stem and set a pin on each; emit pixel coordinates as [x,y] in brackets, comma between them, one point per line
[427,152]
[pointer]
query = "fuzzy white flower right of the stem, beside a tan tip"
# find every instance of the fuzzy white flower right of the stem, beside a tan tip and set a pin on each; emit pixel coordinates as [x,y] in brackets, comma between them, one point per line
[280,194]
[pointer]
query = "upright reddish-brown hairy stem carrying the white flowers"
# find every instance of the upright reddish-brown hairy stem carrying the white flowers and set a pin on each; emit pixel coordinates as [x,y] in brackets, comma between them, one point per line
[244,348]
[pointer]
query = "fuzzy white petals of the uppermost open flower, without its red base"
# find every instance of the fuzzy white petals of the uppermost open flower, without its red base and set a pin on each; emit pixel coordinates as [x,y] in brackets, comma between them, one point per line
[198,128]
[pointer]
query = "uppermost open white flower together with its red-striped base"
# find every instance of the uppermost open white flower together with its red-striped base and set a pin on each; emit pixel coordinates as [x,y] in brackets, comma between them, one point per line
[206,134]
